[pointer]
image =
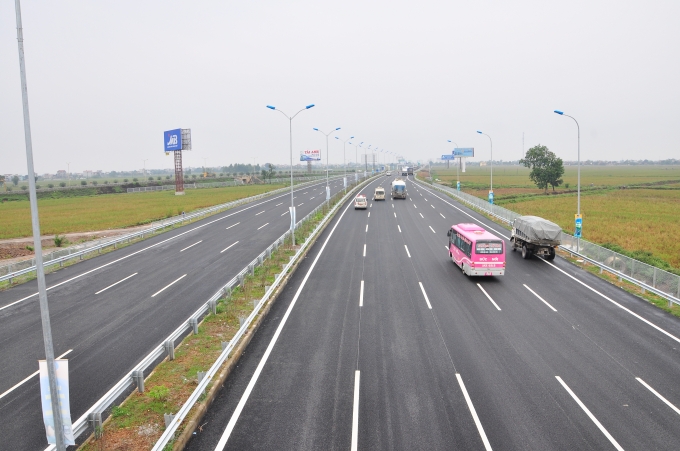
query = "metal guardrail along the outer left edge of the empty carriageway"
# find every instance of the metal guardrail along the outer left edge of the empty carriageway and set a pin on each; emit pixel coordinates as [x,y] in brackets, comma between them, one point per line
[60,256]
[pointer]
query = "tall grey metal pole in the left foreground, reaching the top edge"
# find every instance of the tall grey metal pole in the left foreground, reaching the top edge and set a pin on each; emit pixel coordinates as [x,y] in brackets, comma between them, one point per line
[55,400]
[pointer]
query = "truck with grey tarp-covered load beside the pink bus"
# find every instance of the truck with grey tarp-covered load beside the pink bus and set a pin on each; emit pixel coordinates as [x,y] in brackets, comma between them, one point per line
[534,235]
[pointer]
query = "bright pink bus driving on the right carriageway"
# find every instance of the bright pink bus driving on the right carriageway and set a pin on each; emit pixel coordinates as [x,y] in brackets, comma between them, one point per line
[476,251]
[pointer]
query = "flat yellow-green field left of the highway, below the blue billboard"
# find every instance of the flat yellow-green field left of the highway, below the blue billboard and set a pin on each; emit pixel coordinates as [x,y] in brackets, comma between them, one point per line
[113,211]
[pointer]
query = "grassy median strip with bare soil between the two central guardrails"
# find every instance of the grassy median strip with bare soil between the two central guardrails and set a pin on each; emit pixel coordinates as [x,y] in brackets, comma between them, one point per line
[138,422]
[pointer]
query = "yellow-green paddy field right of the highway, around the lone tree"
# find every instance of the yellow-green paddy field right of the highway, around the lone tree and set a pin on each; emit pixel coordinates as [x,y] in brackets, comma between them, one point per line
[635,207]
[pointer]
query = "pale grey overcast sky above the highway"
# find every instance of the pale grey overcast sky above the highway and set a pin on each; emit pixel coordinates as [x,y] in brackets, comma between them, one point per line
[106,78]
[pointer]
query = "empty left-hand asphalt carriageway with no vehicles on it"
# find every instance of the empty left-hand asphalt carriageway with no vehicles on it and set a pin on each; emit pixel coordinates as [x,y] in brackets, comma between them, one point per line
[109,312]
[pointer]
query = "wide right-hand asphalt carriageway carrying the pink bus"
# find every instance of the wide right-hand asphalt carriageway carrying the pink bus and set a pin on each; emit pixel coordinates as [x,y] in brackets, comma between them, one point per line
[380,342]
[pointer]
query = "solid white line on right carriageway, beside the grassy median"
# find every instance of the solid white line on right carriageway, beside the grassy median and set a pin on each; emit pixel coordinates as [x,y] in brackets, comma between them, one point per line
[253,380]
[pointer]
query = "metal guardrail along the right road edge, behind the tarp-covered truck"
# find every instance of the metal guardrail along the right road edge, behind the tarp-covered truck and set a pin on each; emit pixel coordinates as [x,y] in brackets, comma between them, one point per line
[647,277]
